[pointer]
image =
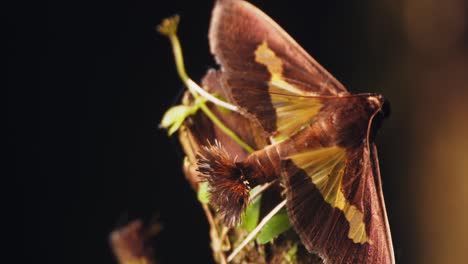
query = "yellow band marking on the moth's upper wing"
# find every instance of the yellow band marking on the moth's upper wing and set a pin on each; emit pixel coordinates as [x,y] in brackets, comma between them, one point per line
[293,111]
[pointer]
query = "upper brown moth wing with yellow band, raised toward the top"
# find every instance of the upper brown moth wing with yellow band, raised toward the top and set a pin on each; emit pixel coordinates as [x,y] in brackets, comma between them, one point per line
[262,66]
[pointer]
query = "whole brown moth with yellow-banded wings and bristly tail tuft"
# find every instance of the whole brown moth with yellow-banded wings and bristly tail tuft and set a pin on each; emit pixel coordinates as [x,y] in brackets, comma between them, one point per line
[321,139]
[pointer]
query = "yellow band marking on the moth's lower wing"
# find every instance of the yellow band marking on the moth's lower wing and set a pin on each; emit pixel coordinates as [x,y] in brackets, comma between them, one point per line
[326,167]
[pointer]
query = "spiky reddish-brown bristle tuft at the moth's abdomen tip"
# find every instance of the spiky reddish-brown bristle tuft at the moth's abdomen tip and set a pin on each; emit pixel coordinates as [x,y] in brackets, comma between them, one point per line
[228,187]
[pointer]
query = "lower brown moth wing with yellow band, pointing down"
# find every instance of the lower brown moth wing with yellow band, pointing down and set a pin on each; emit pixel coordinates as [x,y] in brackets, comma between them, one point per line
[336,206]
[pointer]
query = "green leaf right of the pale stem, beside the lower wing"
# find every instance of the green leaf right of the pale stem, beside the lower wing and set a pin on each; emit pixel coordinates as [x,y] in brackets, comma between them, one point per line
[278,224]
